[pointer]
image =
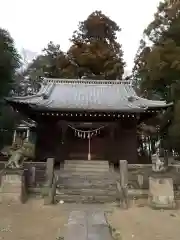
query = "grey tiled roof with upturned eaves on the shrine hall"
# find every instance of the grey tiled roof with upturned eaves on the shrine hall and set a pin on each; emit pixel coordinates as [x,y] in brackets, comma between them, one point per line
[92,95]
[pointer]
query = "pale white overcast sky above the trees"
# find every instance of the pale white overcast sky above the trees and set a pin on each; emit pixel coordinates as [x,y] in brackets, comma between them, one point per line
[33,23]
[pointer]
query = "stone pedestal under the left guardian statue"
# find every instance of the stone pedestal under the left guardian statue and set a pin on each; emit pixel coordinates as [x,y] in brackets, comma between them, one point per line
[12,186]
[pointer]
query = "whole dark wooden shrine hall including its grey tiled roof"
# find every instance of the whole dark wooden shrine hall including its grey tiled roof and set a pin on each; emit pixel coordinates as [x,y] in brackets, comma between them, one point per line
[86,119]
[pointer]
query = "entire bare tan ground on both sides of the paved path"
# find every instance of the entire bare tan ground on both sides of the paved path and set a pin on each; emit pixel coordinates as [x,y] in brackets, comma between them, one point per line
[35,221]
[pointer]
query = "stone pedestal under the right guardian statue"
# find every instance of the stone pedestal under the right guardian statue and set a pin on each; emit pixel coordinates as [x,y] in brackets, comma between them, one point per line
[161,194]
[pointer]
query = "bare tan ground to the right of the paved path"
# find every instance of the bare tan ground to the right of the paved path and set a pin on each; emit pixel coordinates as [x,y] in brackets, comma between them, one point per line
[143,223]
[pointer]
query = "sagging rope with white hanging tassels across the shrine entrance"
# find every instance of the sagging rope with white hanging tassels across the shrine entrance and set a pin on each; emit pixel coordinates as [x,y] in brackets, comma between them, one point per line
[86,133]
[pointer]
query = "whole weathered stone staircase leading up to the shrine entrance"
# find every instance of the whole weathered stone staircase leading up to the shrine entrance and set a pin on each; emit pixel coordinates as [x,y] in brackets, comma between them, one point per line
[86,182]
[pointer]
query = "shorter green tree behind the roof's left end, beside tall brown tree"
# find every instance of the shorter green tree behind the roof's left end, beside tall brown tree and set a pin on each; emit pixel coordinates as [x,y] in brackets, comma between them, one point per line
[28,79]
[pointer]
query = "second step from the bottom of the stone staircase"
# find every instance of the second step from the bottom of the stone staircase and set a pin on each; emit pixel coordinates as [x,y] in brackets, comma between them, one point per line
[87,192]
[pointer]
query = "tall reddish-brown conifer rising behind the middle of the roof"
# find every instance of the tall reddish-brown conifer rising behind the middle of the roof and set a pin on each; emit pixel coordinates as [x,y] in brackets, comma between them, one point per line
[95,52]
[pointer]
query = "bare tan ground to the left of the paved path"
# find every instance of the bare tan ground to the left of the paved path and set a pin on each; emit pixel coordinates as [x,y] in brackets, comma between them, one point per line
[32,220]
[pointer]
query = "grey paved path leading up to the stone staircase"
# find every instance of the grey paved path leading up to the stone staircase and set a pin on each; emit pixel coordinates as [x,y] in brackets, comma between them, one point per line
[87,225]
